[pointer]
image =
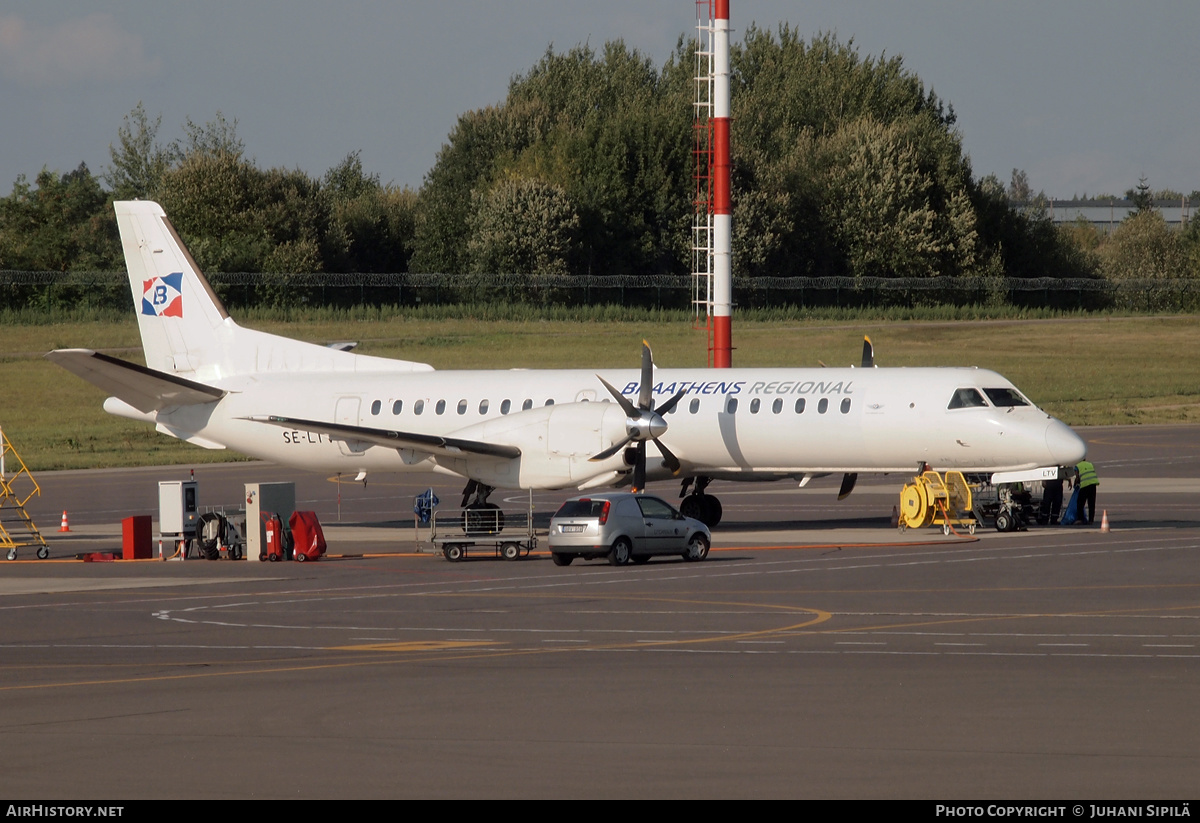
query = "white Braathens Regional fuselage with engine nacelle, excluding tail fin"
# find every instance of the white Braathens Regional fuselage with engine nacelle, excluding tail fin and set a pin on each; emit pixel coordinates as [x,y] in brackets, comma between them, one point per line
[787,423]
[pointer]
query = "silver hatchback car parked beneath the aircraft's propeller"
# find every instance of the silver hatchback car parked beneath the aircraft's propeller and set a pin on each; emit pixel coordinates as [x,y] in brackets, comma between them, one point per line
[625,527]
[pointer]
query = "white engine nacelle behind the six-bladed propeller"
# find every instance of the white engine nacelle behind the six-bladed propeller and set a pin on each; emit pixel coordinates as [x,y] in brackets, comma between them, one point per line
[556,443]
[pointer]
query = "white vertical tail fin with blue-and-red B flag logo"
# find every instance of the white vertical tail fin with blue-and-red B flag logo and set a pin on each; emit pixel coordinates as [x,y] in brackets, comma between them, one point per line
[185,328]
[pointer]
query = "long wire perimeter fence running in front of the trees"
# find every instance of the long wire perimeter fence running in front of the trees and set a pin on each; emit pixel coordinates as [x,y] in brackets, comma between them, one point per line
[53,290]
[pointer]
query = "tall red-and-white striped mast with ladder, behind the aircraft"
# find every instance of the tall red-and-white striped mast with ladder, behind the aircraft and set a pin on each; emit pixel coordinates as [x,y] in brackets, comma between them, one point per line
[712,235]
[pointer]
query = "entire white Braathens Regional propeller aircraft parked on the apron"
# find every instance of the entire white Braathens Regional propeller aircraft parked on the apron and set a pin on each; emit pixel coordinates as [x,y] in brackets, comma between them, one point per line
[214,385]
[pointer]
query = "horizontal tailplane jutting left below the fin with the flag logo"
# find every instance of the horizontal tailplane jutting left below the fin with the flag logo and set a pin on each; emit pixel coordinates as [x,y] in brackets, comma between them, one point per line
[142,388]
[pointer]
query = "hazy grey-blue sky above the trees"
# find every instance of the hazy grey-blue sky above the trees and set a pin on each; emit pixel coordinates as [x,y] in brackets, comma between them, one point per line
[1087,97]
